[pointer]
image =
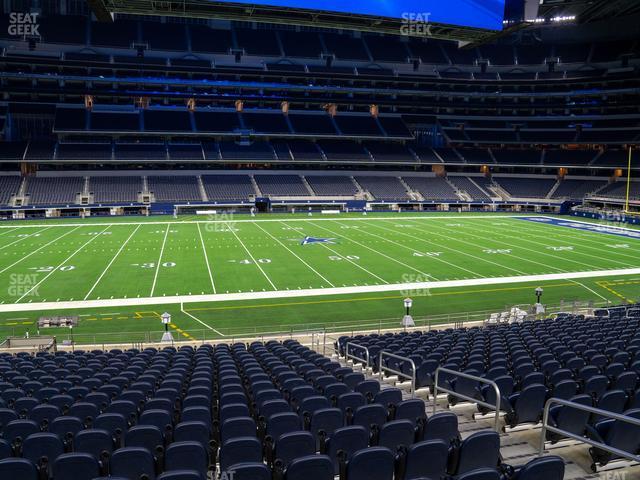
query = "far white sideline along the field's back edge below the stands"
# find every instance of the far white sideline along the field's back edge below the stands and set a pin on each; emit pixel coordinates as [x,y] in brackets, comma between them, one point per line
[269,220]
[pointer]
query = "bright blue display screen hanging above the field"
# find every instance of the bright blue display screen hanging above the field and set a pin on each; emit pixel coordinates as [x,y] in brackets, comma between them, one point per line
[487,14]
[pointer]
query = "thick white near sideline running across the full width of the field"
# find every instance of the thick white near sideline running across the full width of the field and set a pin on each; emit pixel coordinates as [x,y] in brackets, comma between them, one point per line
[318,292]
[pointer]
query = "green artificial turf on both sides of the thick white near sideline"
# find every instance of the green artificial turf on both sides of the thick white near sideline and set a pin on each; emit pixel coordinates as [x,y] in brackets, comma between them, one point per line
[98,259]
